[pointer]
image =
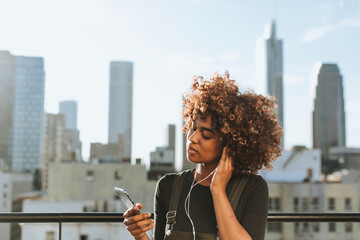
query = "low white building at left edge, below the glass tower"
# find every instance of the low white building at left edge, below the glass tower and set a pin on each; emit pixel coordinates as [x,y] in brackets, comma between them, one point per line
[12,184]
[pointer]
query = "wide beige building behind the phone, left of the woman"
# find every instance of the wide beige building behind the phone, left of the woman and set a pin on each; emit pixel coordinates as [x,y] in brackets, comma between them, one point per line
[82,181]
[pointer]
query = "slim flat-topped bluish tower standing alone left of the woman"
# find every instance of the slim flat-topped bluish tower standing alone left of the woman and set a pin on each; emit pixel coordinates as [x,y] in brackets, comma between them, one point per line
[120,105]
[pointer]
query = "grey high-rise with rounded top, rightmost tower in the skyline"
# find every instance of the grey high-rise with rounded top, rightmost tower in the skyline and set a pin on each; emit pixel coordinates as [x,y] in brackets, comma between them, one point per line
[328,109]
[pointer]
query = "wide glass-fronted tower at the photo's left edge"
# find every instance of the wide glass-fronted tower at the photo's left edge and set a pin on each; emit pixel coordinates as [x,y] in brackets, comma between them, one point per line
[22,81]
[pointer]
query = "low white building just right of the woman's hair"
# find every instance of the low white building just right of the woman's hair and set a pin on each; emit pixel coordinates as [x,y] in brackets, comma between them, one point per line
[296,165]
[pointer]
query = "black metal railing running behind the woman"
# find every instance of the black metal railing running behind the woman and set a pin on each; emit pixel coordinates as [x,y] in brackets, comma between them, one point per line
[91,217]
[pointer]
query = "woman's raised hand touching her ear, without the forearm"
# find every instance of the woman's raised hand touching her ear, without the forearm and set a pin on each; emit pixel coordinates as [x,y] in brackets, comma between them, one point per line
[223,171]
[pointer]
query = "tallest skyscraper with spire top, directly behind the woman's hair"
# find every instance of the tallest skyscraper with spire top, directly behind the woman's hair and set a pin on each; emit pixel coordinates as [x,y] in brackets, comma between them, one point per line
[270,68]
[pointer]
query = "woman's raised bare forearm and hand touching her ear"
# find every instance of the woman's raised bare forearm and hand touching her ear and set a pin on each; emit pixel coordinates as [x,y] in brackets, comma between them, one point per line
[228,225]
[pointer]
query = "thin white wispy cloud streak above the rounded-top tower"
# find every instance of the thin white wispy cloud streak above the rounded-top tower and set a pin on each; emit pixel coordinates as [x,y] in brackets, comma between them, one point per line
[317,33]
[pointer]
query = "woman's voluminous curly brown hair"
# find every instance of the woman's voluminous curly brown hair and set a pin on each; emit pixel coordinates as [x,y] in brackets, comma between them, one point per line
[246,122]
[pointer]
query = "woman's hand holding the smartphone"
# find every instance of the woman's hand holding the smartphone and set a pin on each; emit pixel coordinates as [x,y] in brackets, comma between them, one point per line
[138,224]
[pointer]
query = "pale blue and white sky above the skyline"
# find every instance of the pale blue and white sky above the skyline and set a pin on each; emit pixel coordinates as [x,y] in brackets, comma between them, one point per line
[171,41]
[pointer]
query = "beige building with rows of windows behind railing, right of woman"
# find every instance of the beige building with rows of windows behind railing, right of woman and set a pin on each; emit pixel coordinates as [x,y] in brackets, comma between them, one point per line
[315,198]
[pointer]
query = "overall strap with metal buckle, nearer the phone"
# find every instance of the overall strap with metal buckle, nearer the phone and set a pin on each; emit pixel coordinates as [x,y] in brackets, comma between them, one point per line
[175,195]
